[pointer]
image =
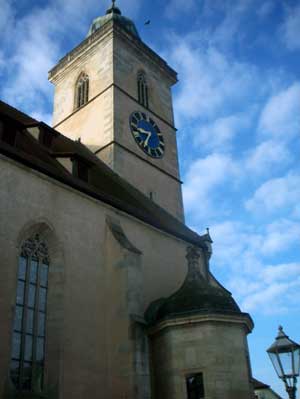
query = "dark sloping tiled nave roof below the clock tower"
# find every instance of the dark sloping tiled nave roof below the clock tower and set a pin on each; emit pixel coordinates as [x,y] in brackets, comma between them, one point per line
[104,184]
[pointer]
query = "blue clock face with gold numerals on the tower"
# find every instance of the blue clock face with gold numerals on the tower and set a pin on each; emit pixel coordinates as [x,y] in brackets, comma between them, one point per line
[147,134]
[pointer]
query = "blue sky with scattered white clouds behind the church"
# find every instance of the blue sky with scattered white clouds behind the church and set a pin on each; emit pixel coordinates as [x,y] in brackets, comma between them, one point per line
[237,107]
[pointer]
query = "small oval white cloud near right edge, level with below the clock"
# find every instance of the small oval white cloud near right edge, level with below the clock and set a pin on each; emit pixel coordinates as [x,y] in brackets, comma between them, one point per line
[267,155]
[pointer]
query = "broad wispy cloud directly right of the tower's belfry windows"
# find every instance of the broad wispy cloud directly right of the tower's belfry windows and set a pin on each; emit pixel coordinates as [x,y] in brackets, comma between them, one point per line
[210,81]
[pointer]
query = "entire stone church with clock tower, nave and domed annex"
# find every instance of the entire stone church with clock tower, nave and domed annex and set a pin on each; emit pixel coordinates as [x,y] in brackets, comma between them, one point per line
[105,293]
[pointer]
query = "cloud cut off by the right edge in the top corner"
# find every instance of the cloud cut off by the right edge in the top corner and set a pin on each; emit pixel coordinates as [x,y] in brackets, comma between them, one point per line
[290,29]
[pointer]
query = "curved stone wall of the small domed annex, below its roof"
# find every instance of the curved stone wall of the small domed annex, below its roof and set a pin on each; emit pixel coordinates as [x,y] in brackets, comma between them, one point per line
[214,346]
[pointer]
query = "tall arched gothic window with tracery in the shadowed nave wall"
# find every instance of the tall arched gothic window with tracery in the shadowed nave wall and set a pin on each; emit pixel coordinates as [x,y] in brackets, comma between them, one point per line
[28,337]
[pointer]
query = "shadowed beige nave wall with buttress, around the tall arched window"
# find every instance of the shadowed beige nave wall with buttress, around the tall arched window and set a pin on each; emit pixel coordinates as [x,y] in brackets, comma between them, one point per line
[95,284]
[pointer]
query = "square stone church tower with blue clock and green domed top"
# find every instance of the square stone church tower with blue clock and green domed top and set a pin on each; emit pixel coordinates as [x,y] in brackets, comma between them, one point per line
[114,94]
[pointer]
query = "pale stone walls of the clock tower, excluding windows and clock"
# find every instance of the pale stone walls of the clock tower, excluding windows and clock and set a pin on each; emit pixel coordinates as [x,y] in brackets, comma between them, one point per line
[112,63]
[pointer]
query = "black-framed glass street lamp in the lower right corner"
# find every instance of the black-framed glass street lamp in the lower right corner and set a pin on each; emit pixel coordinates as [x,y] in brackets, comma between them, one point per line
[285,356]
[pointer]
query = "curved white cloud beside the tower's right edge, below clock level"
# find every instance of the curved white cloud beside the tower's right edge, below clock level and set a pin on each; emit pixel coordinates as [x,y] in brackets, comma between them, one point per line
[202,178]
